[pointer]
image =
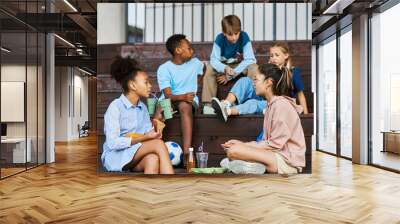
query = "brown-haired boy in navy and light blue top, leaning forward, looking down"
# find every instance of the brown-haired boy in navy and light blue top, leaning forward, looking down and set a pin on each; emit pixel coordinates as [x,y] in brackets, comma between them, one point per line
[231,55]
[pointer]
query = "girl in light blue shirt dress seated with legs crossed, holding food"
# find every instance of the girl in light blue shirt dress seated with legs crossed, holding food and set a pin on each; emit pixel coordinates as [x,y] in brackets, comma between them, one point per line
[127,114]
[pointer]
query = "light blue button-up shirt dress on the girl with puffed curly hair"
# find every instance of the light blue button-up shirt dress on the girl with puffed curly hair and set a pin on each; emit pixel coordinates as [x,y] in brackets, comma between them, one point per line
[123,117]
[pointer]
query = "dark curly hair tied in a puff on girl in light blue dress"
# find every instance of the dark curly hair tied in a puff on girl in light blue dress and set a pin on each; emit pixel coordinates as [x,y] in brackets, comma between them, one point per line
[123,70]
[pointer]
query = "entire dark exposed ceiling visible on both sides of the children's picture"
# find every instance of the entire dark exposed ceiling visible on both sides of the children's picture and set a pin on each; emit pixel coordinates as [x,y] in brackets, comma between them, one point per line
[76,22]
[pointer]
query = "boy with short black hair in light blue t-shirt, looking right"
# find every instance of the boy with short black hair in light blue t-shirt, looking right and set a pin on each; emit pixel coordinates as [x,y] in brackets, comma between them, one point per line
[177,79]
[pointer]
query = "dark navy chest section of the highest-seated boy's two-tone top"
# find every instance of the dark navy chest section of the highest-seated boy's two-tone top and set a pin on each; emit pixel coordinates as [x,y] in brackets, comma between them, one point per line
[229,50]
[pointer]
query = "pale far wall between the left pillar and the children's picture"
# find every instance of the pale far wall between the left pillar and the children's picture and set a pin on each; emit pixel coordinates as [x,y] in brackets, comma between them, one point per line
[71,94]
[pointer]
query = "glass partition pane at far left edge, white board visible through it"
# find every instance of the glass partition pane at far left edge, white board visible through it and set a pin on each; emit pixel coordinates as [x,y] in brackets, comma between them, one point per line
[13,85]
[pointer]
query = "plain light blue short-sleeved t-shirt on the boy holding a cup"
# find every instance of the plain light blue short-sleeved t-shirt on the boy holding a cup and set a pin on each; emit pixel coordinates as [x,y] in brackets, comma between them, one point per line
[181,79]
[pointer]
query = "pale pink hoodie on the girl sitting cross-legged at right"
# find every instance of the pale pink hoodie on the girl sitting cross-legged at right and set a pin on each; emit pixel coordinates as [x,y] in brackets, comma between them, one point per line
[283,130]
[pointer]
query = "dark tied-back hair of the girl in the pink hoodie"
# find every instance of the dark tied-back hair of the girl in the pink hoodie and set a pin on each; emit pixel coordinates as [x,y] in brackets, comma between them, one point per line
[279,78]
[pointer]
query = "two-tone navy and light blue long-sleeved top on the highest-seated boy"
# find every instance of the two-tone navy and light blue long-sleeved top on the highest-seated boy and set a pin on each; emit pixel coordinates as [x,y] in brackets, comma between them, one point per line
[224,50]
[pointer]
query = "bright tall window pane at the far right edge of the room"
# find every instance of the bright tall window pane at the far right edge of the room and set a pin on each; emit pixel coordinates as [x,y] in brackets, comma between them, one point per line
[385,86]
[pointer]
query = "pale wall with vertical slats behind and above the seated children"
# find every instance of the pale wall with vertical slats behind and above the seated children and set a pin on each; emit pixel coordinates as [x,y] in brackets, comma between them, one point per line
[293,20]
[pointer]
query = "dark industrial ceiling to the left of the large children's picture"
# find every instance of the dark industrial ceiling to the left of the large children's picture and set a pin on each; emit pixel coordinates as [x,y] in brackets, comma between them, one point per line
[75,22]
